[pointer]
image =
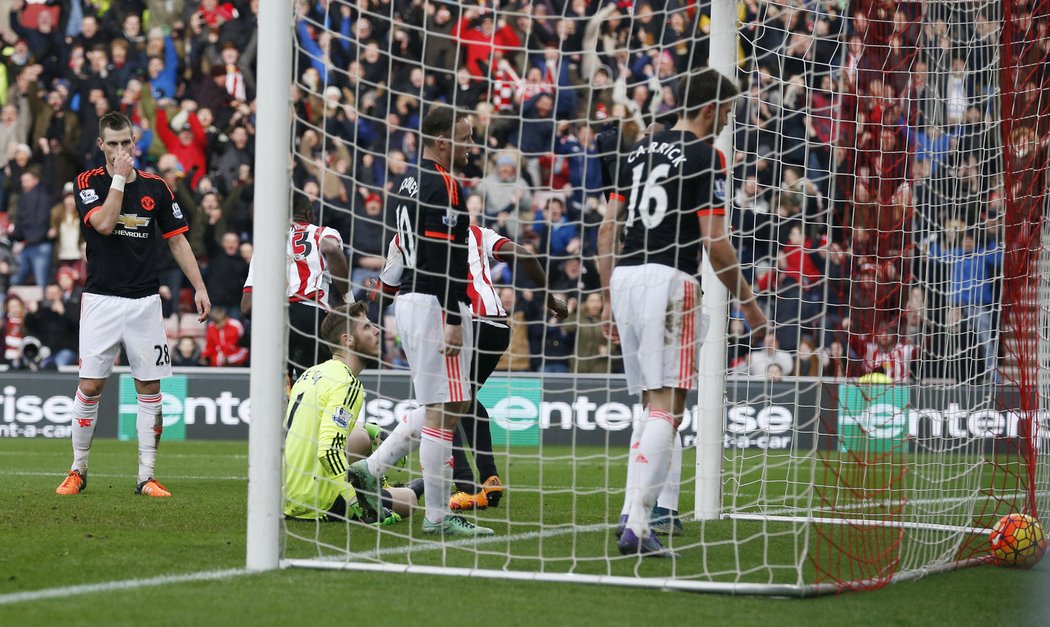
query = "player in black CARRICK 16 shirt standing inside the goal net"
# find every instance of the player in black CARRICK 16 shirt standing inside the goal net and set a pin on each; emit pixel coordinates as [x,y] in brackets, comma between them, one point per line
[670,198]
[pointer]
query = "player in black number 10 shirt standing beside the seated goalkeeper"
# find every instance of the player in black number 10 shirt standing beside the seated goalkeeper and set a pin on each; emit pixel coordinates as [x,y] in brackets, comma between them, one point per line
[433,229]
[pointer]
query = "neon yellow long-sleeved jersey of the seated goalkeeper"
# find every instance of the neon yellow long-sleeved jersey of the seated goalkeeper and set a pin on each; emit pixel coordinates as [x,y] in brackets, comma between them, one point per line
[324,407]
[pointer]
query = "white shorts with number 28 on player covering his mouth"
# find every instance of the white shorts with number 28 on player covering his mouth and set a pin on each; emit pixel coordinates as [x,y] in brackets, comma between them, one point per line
[109,322]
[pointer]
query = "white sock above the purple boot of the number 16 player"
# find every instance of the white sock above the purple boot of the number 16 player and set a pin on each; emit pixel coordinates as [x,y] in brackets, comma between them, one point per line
[653,458]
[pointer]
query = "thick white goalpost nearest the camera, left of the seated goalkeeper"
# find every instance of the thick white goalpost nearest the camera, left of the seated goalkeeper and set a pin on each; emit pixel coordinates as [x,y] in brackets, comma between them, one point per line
[272,197]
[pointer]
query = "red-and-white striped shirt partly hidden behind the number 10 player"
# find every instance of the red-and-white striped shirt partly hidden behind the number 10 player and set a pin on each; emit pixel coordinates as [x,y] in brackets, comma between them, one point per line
[486,245]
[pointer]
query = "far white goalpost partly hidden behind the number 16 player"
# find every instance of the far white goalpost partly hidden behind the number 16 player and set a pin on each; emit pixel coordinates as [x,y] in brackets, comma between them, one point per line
[712,389]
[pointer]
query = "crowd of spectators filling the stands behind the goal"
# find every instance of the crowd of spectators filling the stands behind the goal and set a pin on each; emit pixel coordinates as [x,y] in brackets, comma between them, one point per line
[868,208]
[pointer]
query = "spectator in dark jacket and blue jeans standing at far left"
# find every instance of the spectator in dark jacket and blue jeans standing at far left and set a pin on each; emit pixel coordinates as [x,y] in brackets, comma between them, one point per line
[34,227]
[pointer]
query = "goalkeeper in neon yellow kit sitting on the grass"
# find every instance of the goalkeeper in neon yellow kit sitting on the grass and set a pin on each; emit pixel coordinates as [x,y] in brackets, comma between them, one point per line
[324,436]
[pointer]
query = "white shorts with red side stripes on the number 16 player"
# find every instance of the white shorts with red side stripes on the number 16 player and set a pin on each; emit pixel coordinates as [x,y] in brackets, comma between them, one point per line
[661,324]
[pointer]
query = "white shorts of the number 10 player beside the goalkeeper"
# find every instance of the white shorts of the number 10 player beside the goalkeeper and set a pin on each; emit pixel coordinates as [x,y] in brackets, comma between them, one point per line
[435,377]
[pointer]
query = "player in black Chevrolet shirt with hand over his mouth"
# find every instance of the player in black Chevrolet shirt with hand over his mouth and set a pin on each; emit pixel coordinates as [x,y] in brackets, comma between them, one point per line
[124,213]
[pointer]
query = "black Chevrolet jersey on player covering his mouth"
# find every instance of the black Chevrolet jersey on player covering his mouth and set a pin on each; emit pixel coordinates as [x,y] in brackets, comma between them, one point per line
[125,263]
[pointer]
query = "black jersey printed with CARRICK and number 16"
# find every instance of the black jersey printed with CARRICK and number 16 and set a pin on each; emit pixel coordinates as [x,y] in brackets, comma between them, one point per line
[668,181]
